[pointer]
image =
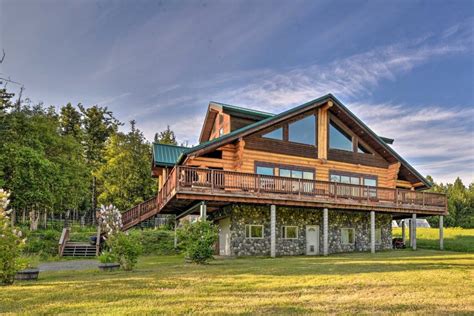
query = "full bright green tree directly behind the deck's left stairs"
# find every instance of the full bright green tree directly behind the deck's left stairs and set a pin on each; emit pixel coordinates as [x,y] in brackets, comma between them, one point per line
[125,175]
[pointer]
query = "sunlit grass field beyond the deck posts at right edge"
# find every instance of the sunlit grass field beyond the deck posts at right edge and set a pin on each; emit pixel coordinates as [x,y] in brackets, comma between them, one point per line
[455,239]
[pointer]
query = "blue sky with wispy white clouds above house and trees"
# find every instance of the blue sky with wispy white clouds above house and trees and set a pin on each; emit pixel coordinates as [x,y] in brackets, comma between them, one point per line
[405,67]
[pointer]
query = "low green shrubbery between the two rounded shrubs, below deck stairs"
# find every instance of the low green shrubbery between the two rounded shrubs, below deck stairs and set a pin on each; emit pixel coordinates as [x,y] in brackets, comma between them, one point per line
[155,242]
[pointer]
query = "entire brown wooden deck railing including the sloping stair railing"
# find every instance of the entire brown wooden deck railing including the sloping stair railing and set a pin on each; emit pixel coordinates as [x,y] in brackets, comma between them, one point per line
[211,181]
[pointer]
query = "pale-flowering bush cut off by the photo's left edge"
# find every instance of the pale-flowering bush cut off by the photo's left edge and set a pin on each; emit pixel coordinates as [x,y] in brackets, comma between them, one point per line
[11,244]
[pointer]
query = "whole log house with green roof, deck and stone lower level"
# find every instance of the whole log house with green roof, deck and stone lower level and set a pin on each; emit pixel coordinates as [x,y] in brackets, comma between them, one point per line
[311,180]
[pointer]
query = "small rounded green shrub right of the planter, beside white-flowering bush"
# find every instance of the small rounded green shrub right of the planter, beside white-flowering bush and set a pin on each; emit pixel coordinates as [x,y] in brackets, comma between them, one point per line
[125,249]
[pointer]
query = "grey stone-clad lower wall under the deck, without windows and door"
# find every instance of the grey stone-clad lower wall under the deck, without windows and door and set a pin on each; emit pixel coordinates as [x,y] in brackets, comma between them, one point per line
[245,214]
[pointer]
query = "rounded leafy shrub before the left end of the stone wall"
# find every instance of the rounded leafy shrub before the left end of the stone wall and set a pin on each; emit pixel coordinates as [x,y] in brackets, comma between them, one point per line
[197,240]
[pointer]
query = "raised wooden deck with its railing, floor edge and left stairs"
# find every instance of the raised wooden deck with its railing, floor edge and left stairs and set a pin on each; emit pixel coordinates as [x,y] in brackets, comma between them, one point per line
[187,185]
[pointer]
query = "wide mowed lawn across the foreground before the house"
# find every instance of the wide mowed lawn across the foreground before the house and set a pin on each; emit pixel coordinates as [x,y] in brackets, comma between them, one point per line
[404,281]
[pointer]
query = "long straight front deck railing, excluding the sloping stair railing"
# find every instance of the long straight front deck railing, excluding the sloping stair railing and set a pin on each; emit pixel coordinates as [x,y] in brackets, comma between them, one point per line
[199,179]
